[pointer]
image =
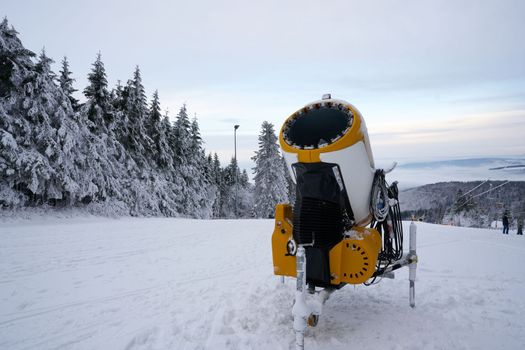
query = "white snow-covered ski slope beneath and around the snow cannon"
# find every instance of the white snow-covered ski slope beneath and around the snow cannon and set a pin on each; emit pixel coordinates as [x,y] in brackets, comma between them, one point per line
[184,284]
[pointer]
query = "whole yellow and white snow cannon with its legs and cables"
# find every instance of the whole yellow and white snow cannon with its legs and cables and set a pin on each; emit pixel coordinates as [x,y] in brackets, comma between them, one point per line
[345,225]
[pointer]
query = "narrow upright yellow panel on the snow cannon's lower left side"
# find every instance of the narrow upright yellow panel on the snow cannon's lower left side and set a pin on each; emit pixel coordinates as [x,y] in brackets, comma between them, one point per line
[284,264]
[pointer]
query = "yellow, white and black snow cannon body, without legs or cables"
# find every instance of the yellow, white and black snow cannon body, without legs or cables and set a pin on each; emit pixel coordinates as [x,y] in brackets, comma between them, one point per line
[326,147]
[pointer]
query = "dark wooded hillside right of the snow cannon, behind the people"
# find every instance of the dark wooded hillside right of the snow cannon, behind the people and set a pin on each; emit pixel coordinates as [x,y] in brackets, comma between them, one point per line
[480,201]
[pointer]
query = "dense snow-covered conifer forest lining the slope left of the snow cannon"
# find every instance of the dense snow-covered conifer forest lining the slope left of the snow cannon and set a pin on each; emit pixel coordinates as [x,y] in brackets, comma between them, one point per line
[116,152]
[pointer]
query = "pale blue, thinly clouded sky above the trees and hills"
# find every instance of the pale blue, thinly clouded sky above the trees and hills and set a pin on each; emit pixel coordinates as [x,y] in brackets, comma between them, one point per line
[433,79]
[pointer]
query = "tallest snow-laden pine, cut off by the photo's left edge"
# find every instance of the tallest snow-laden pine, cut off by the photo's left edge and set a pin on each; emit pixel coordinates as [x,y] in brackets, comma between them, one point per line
[20,164]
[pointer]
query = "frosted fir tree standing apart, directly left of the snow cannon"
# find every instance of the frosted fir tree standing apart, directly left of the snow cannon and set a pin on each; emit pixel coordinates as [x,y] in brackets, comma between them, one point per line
[270,180]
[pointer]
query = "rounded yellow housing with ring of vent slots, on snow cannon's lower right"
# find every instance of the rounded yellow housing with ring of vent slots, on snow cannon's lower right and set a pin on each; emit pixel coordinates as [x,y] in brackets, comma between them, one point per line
[353,260]
